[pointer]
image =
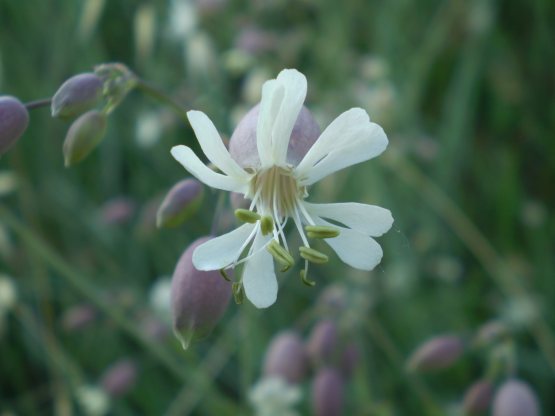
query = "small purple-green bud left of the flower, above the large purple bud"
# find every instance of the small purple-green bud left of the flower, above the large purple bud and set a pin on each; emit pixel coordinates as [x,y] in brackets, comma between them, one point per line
[180,203]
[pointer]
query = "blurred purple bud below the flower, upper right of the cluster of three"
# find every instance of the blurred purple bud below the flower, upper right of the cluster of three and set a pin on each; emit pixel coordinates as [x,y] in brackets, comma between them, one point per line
[322,344]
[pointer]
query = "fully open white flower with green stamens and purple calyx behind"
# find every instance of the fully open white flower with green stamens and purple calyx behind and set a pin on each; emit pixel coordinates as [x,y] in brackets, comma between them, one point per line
[275,155]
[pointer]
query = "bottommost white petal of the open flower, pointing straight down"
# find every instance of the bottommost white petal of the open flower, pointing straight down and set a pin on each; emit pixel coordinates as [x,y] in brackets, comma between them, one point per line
[259,277]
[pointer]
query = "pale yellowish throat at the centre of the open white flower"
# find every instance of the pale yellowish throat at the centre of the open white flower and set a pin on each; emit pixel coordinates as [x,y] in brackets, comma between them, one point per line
[276,191]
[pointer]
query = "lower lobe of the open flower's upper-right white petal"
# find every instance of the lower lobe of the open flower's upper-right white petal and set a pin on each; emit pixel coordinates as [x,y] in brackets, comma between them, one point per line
[371,142]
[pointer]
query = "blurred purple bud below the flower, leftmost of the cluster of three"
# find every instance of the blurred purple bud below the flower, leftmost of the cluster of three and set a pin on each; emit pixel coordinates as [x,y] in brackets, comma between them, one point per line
[286,357]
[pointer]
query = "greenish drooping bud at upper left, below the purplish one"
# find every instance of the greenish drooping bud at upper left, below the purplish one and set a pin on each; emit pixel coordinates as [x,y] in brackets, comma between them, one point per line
[83,136]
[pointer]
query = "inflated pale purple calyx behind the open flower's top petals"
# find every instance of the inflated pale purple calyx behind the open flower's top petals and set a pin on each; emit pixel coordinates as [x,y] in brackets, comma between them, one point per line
[242,144]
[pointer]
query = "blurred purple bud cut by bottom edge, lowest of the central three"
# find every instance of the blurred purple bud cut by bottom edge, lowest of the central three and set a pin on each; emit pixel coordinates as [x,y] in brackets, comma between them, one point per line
[327,393]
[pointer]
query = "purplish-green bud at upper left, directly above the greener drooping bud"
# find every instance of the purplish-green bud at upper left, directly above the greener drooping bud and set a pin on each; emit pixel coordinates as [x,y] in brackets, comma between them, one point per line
[78,94]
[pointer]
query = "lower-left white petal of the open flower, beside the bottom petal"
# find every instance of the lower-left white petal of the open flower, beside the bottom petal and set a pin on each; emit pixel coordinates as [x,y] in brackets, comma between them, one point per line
[221,251]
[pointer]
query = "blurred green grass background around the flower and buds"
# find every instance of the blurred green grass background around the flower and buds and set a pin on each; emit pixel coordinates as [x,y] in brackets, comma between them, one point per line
[468,177]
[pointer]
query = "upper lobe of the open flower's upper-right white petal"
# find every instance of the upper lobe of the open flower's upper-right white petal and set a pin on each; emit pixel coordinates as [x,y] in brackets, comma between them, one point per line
[344,129]
